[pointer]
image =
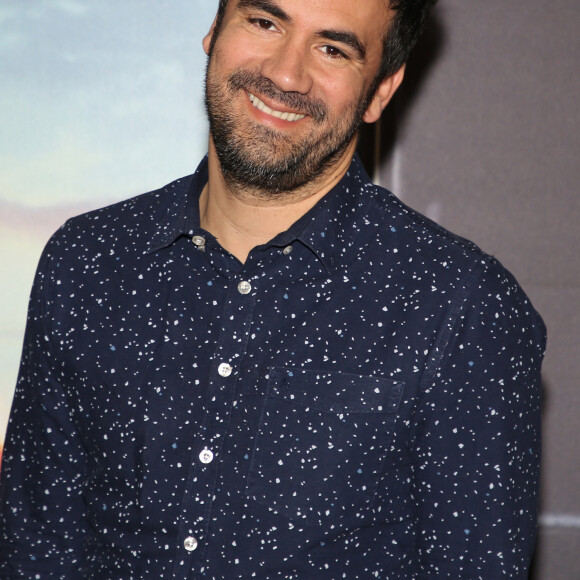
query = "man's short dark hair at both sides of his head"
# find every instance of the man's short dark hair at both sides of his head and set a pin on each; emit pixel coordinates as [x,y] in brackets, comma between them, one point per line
[406,28]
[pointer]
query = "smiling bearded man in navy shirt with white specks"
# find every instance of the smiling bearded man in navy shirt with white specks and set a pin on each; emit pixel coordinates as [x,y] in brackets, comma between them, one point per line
[273,368]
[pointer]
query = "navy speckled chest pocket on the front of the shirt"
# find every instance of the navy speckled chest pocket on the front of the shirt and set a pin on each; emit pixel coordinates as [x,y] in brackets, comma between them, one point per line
[322,443]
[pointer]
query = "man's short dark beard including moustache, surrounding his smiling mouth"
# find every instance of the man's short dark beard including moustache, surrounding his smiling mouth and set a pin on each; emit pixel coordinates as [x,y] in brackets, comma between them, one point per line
[269,162]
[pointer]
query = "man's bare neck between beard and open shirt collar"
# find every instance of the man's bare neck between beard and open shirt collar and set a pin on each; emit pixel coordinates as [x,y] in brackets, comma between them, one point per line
[242,219]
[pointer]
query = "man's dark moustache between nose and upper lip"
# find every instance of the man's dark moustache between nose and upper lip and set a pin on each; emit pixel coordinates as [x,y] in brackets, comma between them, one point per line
[254,82]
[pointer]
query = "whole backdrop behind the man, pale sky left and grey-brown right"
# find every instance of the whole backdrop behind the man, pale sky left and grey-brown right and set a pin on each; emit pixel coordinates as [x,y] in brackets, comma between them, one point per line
[102,100]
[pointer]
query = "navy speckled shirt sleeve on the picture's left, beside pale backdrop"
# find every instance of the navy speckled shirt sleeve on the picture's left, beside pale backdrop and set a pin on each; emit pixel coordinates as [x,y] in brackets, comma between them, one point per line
[41,509]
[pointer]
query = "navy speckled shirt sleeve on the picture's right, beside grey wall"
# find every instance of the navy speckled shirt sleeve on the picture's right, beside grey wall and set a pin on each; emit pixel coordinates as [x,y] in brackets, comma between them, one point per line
[477,444]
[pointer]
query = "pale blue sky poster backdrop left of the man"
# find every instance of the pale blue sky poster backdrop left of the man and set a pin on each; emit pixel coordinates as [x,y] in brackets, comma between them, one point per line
[99,101]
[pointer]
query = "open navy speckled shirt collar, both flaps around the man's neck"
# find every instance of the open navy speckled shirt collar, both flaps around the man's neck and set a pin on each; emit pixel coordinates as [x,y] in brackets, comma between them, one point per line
[329,229]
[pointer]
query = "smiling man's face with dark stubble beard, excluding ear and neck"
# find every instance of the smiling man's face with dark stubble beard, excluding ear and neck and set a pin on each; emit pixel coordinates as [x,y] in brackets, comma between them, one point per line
[287,86]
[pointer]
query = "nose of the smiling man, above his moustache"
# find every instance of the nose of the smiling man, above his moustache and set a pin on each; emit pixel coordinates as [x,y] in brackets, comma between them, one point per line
[287,67]
